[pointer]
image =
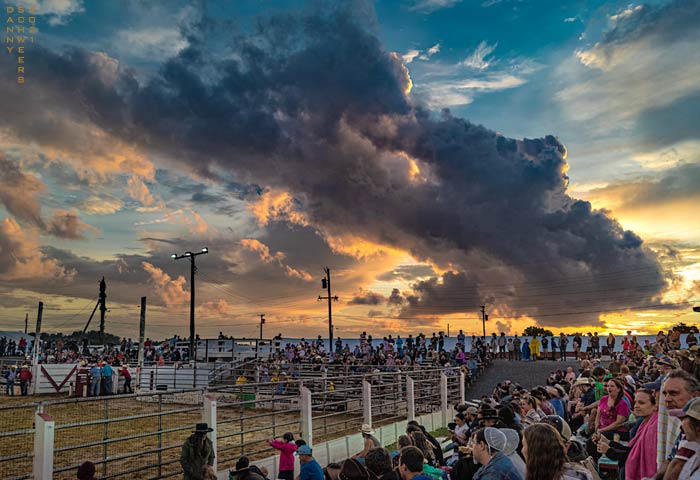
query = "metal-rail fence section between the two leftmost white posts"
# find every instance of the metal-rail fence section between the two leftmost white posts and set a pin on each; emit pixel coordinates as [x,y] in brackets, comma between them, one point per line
[129,436]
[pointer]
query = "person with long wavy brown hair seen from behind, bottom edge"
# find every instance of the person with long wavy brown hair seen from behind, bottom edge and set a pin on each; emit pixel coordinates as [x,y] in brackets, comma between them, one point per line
[545,456]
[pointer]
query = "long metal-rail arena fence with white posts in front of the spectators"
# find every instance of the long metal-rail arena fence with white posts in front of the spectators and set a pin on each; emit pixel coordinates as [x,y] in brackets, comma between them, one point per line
[139,436]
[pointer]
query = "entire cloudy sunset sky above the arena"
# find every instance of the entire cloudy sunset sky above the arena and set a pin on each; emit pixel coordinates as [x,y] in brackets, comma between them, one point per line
[539,158]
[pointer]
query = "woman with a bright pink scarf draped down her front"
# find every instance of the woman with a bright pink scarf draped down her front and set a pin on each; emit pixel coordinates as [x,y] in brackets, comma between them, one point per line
[639,457]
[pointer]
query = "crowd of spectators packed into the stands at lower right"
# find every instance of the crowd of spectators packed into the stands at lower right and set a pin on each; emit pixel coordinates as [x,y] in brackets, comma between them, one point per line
[634,416]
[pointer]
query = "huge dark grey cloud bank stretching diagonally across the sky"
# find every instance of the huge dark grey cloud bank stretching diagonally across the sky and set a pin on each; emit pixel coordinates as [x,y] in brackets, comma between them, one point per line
[312,104]
